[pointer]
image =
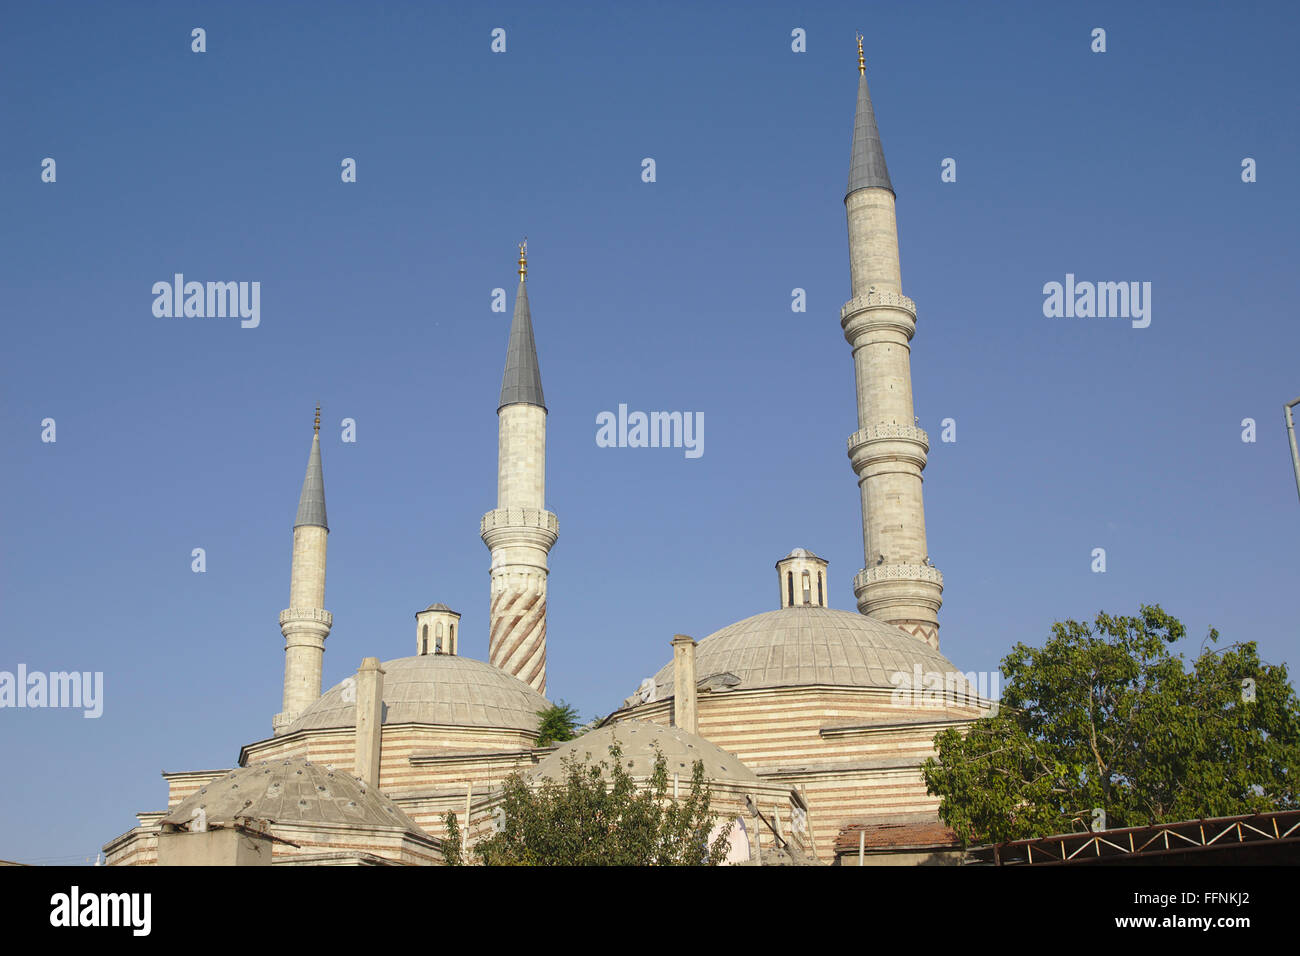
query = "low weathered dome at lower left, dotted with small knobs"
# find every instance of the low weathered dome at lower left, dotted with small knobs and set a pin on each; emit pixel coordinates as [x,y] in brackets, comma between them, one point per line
[291,791]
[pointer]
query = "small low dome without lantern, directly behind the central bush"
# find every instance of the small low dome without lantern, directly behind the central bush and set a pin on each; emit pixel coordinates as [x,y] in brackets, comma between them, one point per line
[638,741]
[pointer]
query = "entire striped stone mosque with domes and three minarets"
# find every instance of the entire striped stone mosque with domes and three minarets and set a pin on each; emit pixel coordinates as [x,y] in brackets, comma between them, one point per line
[808,719]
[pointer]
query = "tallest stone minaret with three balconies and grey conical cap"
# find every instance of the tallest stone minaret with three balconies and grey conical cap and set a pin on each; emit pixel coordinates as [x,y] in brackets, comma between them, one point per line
[899,585]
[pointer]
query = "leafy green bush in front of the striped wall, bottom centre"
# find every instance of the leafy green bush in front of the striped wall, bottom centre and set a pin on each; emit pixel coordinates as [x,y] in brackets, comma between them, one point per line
[599,817]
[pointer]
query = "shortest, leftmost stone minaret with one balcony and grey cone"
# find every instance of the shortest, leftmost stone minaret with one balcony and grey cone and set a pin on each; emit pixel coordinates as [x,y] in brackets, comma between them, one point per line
[306,624]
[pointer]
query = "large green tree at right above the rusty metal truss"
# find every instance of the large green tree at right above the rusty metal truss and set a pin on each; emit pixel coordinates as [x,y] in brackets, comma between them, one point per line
[1106,717]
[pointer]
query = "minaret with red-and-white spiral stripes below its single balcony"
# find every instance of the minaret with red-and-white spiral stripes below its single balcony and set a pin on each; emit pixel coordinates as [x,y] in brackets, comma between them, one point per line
[521,531]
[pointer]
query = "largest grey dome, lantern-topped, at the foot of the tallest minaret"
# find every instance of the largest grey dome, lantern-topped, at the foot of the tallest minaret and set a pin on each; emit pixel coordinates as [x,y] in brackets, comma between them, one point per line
[811,646]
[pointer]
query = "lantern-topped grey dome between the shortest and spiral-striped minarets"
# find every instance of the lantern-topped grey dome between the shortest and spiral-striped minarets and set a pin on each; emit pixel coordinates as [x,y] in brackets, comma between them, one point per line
[436,689]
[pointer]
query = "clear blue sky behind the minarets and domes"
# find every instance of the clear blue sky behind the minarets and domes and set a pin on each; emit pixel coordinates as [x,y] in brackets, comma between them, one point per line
[181,434]
